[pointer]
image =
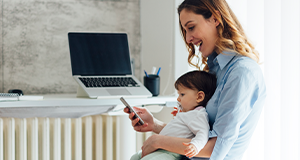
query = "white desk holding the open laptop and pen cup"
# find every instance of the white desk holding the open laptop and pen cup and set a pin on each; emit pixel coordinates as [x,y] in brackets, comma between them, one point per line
[69,106]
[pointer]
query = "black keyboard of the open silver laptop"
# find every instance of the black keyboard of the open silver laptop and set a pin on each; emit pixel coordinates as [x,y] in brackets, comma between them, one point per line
[109,82]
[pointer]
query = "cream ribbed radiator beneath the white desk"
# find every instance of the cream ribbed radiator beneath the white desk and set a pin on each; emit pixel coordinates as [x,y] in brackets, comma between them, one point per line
[100,137]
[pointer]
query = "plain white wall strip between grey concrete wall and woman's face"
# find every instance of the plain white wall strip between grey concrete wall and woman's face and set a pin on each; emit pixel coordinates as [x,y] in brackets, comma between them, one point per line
[161,42]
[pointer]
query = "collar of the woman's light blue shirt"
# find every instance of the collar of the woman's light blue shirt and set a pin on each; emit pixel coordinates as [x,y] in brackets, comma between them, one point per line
[222,59]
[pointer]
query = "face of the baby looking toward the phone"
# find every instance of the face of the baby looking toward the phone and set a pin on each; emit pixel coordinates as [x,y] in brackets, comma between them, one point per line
[187,98]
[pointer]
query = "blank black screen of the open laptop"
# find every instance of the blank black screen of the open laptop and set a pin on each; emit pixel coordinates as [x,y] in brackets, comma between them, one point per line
[99,54]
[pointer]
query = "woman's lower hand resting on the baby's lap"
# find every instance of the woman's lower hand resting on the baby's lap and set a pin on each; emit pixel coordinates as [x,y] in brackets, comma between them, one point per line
[151,144]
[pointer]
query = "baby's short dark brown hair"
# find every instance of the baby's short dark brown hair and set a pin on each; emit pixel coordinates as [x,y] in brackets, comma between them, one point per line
[199,81]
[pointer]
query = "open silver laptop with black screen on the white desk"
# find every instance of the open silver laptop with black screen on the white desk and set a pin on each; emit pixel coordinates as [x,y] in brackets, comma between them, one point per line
[101,66]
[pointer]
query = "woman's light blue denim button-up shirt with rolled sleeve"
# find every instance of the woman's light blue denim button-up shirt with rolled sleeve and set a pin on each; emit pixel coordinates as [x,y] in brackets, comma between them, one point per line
[236,105]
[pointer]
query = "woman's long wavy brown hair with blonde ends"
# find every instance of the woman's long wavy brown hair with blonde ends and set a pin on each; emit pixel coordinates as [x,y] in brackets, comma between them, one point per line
[230,32]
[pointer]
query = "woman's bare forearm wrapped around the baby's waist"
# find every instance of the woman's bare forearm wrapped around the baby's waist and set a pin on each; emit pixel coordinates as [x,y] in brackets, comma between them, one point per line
[174,144]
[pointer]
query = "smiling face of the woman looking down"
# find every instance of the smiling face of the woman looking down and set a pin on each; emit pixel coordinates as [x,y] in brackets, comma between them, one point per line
[200,31]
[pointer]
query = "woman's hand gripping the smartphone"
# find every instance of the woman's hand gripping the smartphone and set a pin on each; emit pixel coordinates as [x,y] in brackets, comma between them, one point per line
[145,115]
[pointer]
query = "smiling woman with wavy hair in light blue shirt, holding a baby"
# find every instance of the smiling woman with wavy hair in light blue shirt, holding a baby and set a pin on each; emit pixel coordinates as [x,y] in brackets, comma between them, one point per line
[235,107]
